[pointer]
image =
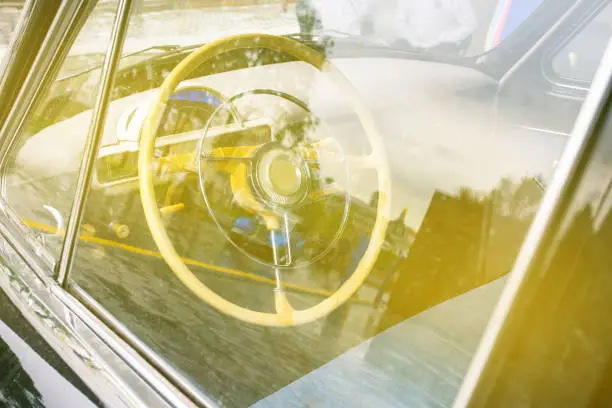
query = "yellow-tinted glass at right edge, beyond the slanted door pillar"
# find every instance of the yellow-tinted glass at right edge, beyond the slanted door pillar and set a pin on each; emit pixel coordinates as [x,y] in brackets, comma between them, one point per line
[555,349]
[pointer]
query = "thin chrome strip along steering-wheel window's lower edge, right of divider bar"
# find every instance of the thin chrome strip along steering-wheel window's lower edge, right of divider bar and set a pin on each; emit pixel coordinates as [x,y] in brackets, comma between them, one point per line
[176,378]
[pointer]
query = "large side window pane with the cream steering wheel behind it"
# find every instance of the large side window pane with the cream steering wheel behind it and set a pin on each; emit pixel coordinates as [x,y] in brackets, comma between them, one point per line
[267,221]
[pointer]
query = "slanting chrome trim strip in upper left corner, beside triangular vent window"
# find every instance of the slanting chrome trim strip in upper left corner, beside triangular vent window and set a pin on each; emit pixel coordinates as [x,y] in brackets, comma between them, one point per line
[61,35]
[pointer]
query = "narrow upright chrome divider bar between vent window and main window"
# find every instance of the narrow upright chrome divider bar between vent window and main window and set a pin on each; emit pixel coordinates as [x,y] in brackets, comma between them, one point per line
[111,62]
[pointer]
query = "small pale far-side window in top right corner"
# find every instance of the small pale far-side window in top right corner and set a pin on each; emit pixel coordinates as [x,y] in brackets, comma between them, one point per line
[579,59]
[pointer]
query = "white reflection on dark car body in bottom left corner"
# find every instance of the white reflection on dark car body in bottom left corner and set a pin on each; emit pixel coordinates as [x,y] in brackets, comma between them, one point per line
[56,391]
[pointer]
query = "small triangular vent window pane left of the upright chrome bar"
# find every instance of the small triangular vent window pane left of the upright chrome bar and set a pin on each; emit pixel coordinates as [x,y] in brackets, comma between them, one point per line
[41,172]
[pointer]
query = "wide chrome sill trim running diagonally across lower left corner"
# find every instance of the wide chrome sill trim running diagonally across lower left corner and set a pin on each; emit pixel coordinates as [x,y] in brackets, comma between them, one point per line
[131,374]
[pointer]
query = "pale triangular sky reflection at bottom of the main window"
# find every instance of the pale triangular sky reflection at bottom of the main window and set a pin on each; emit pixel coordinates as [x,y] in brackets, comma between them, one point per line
[420,362]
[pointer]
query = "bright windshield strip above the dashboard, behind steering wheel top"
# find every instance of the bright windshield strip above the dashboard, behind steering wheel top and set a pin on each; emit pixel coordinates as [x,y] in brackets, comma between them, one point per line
[455,28]
